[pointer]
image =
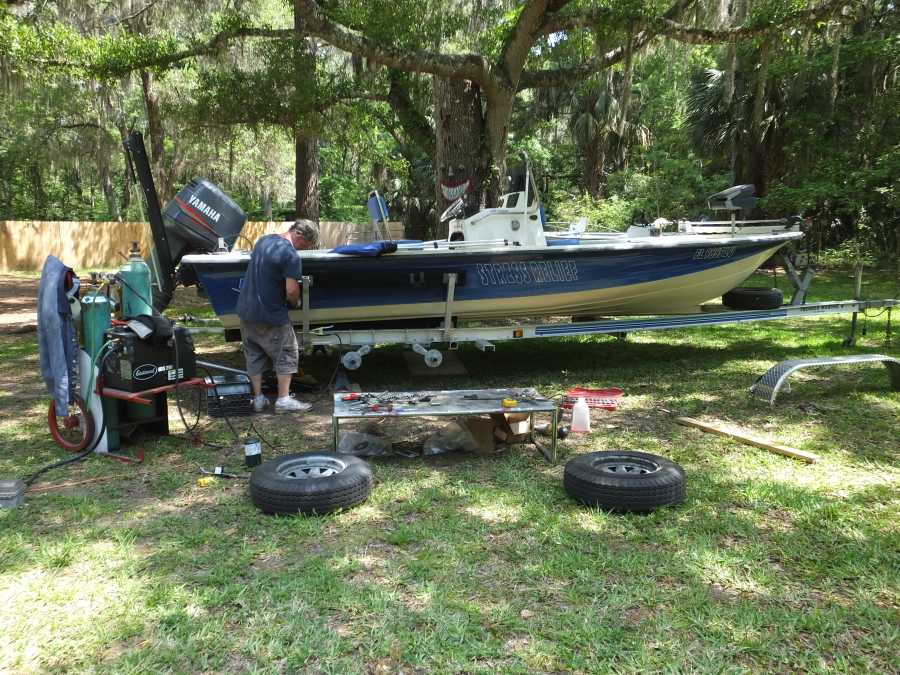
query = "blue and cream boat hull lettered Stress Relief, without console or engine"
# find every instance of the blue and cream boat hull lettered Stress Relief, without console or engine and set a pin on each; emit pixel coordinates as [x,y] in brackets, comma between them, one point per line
[660,275]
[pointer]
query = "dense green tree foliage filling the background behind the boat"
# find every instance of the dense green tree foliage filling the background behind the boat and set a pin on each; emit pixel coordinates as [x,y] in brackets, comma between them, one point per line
[230,111]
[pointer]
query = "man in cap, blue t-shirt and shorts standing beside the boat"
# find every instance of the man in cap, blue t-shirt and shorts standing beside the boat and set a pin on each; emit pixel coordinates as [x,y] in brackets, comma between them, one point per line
[270,287]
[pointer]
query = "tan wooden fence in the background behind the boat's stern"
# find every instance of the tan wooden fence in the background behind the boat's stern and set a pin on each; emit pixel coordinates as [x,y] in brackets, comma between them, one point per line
[25,244]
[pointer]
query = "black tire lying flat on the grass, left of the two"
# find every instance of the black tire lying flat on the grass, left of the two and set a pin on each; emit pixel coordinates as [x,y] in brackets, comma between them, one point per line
[310,483]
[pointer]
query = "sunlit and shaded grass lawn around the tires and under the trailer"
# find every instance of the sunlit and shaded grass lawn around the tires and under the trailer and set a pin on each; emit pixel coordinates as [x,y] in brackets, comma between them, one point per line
[464,563]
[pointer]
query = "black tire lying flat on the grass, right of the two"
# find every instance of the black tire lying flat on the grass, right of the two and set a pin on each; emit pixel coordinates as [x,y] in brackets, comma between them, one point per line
[620,480]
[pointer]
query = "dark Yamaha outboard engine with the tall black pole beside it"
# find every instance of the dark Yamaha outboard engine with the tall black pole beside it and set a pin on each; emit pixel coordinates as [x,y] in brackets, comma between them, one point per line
[193,222]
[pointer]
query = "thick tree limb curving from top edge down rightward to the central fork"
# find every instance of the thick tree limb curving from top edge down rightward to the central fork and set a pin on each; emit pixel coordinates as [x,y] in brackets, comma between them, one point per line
[465,66]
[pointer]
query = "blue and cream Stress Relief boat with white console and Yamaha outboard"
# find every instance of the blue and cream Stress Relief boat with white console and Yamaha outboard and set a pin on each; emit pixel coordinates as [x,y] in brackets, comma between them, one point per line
[496,264]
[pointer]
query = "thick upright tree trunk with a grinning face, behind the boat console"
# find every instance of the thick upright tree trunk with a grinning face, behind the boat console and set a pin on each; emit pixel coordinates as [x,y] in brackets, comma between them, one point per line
[459,157]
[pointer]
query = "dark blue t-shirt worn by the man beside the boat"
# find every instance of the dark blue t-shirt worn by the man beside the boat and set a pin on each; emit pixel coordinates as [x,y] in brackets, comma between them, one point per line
[263,297]
